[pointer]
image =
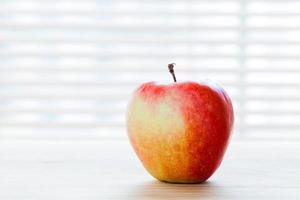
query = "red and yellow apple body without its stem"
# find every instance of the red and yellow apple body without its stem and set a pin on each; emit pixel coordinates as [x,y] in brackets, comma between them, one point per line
[180,131]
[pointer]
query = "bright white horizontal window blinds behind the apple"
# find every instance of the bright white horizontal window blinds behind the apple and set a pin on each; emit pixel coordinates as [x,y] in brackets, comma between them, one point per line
[67,68]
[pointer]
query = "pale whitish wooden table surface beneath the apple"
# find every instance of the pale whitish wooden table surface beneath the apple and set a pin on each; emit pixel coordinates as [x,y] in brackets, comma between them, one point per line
[88,170]
